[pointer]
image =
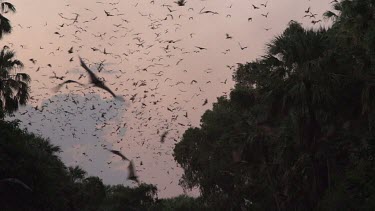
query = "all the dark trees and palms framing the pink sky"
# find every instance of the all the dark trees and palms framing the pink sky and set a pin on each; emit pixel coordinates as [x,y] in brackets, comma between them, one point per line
[296,133]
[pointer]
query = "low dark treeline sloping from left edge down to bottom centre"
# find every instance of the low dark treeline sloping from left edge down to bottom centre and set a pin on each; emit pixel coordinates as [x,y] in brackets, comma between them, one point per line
[33,178]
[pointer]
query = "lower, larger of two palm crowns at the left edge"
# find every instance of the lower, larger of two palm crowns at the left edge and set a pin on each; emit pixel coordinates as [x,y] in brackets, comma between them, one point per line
[14,87]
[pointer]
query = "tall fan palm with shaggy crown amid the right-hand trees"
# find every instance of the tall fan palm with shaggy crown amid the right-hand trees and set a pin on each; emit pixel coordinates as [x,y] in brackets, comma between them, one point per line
[297,62]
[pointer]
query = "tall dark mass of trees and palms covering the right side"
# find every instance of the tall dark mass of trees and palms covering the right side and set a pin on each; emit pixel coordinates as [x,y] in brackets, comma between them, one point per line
[297,132]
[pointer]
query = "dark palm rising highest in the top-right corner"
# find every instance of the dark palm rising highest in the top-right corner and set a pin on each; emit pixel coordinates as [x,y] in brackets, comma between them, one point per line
[353,29]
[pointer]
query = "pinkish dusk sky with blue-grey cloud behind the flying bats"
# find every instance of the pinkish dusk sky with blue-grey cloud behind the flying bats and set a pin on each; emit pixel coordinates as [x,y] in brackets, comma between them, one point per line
[165,60]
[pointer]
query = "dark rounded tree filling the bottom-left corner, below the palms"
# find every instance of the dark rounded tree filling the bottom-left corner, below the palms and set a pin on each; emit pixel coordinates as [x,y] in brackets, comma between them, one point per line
[33,160]
